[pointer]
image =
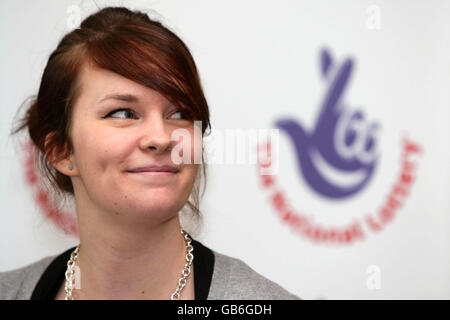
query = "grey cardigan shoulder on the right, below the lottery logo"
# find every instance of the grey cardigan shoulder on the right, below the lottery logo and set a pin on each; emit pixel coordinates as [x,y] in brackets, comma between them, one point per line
[233,279]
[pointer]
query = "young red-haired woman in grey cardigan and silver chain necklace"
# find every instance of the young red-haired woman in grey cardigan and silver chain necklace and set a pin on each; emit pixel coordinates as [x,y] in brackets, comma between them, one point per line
[113,96]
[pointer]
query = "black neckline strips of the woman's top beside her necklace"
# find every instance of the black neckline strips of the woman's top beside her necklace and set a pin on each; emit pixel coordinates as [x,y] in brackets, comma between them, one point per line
[53,277]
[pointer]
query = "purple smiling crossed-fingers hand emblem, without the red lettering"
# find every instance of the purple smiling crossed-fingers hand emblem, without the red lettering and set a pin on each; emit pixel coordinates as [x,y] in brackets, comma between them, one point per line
[342,142]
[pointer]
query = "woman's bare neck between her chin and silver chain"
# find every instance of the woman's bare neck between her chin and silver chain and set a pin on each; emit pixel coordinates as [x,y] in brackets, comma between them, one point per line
[125,261]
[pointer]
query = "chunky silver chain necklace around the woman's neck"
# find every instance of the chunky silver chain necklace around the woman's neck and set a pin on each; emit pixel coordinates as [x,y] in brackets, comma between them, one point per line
[70,272]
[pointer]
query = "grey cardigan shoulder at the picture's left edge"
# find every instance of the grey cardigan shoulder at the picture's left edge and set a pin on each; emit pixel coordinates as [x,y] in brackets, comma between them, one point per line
[18,284]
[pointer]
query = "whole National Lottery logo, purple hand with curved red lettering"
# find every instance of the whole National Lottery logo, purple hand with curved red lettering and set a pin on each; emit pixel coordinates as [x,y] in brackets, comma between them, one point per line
[337,158]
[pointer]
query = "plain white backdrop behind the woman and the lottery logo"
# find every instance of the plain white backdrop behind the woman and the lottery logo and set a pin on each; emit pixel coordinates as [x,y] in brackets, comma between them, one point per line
[258,61]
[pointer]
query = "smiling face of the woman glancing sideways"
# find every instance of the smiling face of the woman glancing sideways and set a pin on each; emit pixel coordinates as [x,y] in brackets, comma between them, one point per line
[108,143]
